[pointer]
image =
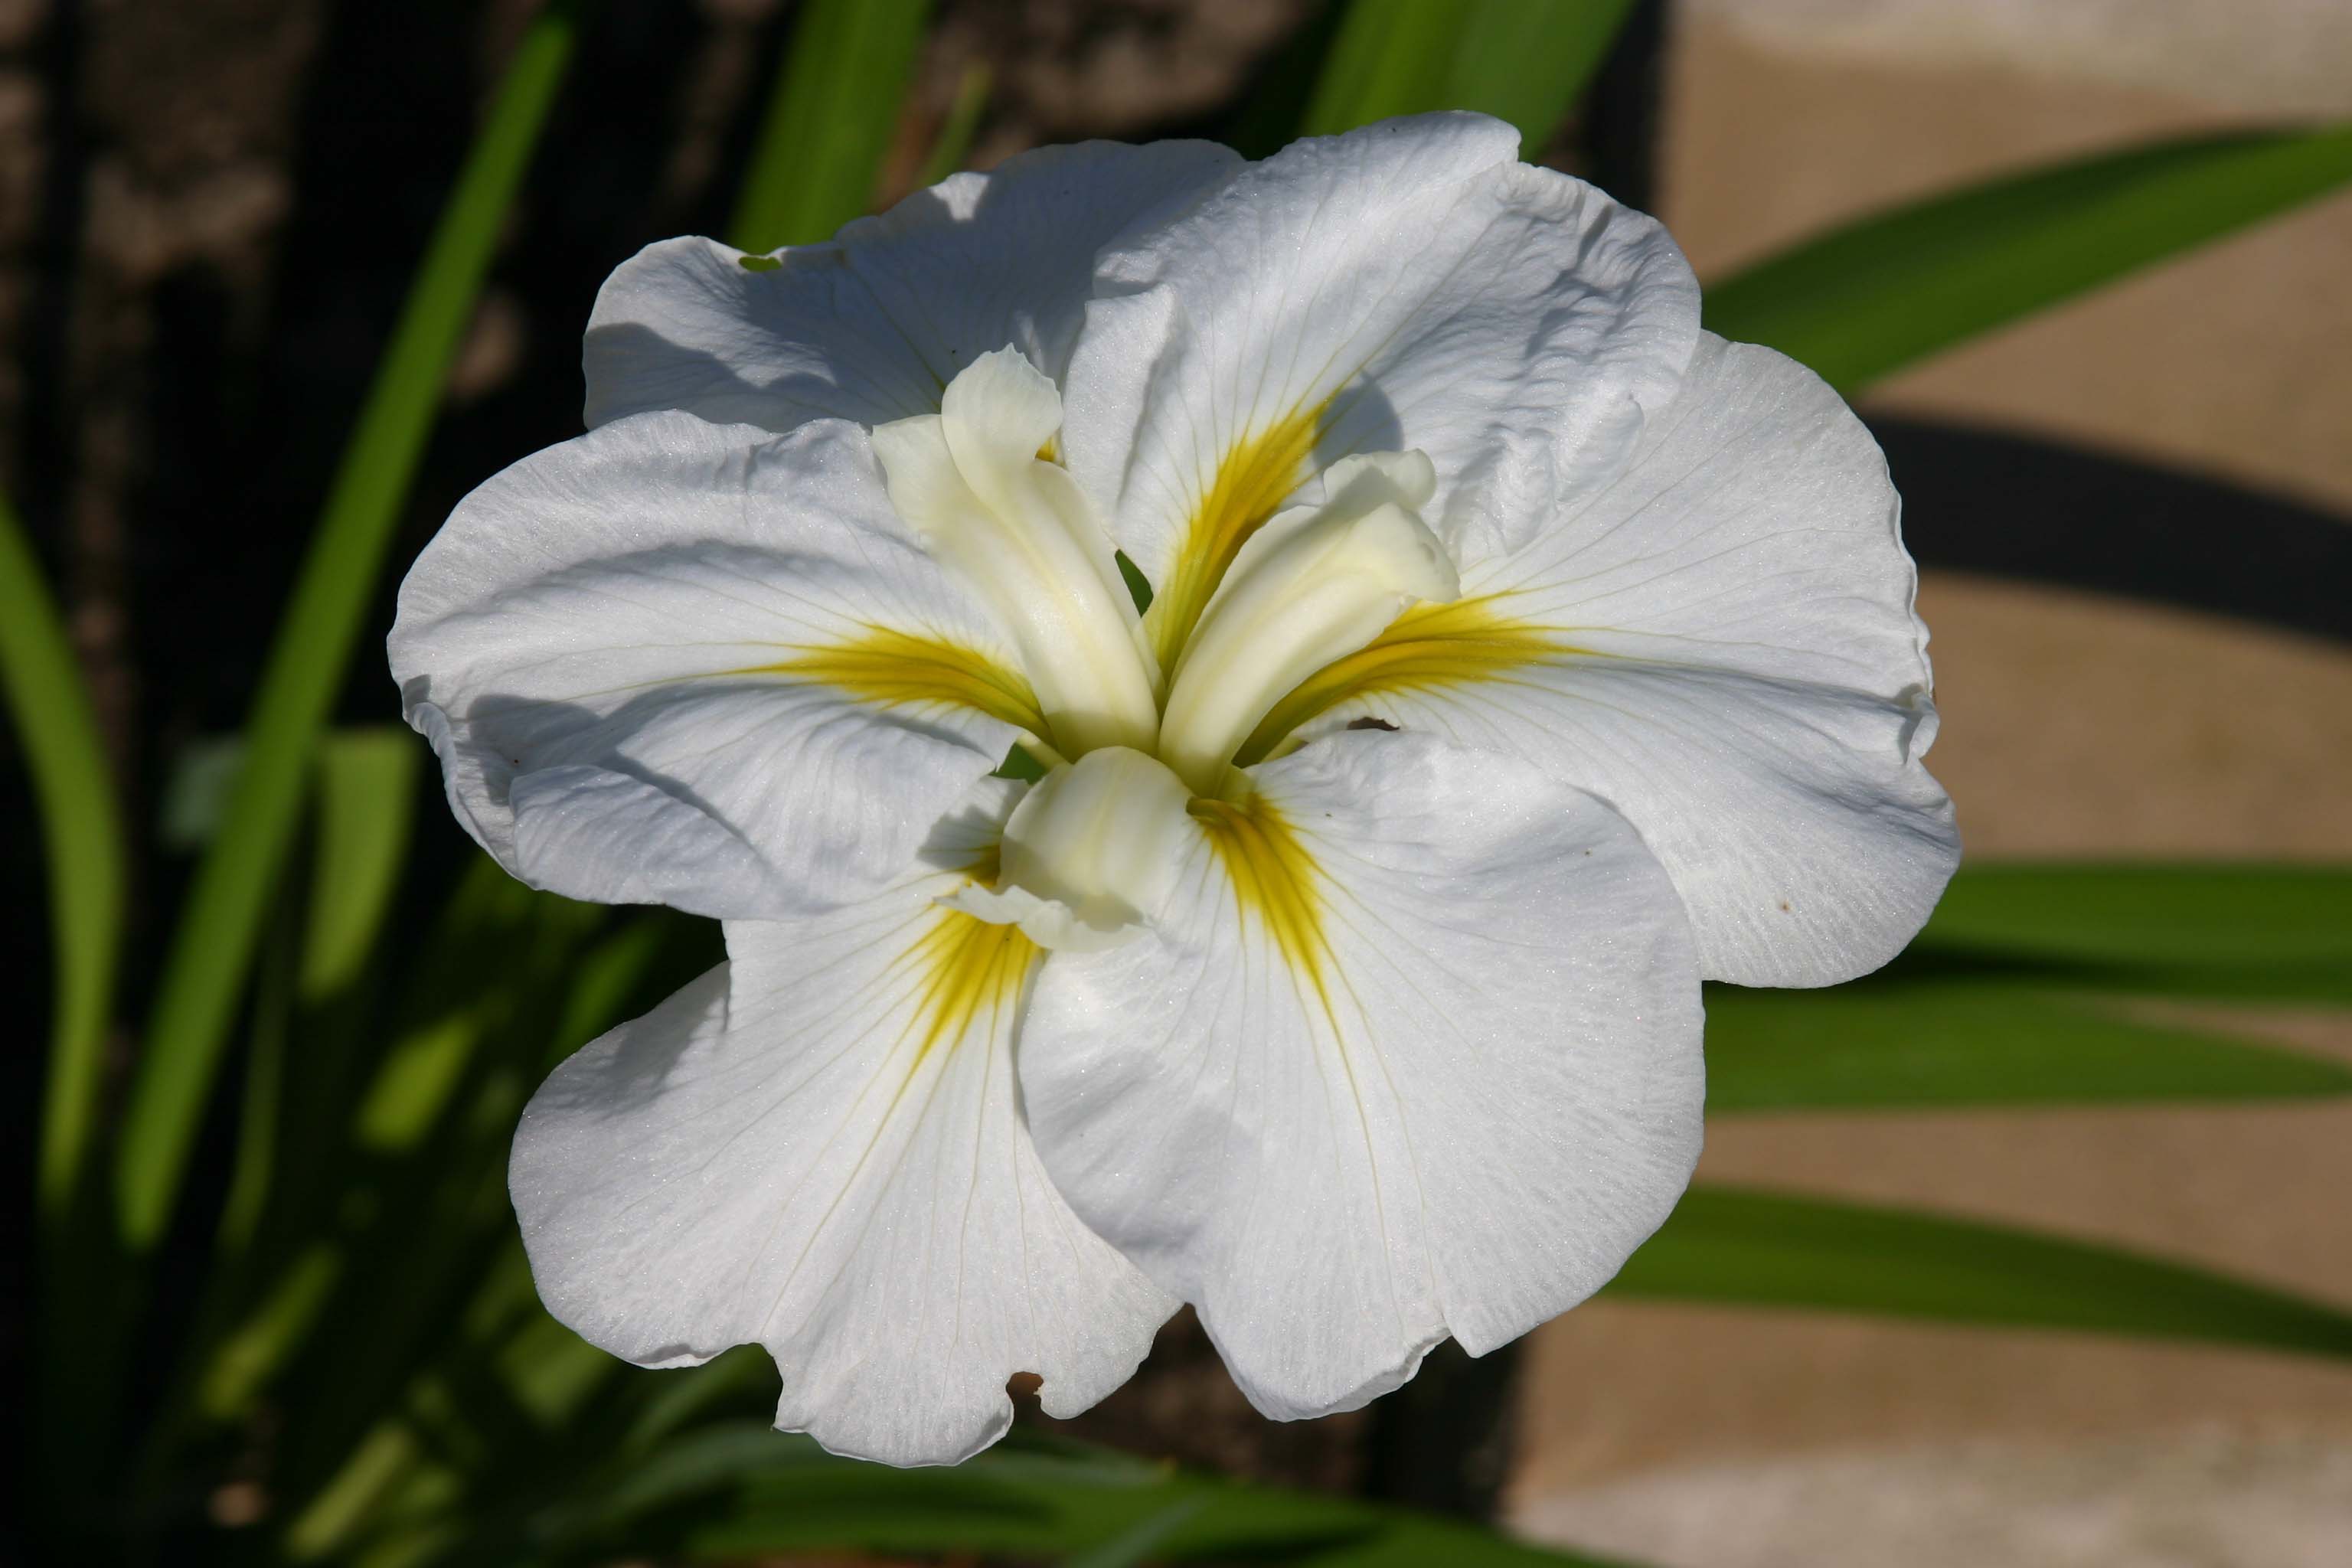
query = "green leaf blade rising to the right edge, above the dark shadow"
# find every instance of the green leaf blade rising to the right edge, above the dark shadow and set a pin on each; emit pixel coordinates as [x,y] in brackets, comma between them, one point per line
[1866,300]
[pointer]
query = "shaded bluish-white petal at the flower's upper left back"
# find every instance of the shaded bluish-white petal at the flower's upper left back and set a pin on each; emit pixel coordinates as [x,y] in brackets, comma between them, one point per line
[874,323]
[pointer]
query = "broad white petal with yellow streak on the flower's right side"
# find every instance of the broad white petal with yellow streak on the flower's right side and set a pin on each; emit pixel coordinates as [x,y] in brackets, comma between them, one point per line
[1723,645]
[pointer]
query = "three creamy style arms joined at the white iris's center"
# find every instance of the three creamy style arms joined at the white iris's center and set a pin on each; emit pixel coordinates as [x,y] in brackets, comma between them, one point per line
[1090,847]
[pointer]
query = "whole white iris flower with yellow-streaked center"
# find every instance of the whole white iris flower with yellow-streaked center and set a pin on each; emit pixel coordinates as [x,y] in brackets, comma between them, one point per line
[1518,657]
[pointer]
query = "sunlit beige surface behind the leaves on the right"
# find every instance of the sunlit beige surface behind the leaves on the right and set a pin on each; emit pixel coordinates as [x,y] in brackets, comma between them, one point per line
[2071,728]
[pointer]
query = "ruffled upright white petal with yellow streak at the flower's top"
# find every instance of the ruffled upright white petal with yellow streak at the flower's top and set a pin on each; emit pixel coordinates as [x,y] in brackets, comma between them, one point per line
[1408,286]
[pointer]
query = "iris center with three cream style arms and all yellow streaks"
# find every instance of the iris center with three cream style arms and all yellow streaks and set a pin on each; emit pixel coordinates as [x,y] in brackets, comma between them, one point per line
[1269,619]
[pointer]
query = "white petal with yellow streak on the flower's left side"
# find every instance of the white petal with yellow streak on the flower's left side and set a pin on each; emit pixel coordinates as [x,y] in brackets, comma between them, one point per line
[695,664]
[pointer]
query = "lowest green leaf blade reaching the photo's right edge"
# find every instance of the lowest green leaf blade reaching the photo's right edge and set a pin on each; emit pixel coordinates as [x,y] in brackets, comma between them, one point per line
[1765,1249]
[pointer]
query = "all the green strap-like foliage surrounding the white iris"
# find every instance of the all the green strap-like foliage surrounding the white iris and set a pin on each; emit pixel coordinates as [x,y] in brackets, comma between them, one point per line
[382,1080]
